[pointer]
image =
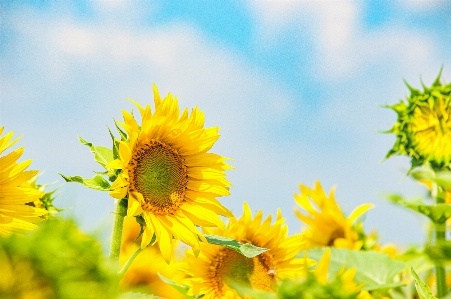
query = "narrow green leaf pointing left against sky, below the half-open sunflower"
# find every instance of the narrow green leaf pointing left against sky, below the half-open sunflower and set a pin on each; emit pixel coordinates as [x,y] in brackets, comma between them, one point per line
[438,213]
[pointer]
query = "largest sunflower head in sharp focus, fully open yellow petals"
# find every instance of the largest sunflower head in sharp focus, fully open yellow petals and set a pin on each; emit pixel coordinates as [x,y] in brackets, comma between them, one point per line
[167,174]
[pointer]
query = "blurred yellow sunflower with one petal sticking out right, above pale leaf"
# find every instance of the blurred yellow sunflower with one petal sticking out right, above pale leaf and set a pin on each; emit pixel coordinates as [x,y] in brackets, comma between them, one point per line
[327,225]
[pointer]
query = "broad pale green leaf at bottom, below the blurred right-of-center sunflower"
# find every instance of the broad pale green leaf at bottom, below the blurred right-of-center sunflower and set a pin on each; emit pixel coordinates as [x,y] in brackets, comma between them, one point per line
[376,270]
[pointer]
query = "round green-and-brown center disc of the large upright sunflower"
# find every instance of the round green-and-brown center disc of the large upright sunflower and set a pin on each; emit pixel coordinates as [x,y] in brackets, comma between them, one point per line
[157,172]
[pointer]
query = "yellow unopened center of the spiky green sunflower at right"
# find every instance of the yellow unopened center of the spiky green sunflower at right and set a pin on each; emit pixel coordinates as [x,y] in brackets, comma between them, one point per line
[432,129]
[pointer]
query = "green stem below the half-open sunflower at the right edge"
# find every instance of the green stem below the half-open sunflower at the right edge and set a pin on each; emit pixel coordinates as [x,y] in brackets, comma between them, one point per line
[440,236]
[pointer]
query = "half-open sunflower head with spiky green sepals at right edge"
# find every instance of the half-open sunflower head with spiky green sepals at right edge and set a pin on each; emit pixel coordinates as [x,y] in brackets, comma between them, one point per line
[423,127]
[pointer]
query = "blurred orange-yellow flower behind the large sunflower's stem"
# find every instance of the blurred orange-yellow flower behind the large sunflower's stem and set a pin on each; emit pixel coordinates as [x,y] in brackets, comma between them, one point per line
[143,272]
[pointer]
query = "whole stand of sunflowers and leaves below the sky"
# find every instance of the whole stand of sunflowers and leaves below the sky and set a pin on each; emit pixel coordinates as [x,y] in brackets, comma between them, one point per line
[174,237]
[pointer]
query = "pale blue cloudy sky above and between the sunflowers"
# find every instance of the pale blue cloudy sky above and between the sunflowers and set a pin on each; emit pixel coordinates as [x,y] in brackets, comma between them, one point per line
[294,86]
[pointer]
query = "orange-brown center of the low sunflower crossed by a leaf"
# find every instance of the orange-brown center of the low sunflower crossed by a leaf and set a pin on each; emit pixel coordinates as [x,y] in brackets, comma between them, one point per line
[230,268]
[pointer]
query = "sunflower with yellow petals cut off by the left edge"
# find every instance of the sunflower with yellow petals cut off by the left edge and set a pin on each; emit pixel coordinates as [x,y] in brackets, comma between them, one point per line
[15,215]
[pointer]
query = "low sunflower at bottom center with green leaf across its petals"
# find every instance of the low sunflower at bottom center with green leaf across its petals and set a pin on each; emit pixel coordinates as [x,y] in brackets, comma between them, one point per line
[218,268]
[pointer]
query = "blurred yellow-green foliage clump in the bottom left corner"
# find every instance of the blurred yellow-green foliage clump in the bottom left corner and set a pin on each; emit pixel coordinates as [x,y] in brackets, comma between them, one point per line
[54,261]
